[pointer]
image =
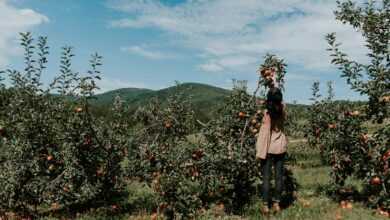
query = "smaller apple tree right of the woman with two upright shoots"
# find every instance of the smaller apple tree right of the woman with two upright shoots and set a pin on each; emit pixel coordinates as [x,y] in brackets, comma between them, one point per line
[335,129]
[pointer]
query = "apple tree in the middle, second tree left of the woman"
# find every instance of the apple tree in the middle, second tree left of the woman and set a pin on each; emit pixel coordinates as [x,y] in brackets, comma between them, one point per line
[160,154]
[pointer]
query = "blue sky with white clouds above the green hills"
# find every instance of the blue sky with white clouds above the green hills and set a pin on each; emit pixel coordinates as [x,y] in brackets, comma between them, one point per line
[153,43]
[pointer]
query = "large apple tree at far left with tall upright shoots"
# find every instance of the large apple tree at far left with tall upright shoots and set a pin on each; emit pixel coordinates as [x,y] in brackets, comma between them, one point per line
[55,153]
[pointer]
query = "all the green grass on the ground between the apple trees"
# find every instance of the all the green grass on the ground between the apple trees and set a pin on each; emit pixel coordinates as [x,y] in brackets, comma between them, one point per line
[312,203]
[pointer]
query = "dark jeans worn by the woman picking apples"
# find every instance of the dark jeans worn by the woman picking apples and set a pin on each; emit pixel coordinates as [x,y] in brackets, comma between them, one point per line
[278,161]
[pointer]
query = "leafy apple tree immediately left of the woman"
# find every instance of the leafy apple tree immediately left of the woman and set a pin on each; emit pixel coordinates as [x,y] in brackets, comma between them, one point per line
[231,140]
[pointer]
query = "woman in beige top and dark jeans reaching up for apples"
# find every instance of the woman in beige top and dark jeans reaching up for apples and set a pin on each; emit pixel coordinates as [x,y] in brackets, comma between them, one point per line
[271,147]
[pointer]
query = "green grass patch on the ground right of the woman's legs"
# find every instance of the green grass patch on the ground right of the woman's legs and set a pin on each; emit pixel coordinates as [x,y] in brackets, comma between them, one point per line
[312,203]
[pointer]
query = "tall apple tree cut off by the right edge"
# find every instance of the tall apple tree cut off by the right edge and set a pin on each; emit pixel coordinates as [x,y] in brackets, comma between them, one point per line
[371,79]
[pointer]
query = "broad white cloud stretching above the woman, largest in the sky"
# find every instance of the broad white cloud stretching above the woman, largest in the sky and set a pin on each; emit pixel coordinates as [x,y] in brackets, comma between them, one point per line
[223,30]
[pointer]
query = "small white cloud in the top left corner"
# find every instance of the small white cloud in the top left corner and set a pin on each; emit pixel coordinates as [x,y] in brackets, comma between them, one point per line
[12,21]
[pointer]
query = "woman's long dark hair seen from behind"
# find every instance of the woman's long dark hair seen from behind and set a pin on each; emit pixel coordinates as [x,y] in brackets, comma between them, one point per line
[274,102]
